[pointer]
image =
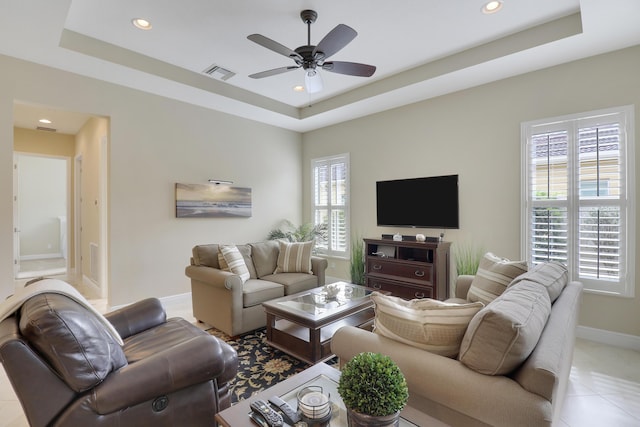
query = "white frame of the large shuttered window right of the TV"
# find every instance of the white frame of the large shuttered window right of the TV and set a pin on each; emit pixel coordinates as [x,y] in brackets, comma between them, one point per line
[625,286]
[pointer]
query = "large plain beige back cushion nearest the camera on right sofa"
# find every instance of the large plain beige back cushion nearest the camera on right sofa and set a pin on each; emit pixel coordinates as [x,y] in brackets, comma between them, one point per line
[503,334]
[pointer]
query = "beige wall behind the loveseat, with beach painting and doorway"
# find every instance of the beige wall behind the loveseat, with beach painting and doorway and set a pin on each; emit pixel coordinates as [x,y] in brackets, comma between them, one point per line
[154,143]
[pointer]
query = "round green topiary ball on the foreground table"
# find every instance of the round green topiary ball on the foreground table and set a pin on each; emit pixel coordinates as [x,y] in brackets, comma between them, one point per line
[372,384]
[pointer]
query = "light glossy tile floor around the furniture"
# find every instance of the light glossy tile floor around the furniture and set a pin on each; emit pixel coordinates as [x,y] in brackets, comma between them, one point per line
[604,386]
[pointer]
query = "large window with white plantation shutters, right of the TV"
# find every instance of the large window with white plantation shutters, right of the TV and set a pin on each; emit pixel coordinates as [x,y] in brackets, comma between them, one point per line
[578,187]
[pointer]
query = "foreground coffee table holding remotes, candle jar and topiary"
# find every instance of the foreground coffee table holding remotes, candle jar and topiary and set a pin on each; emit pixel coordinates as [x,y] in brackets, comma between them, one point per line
[318,375]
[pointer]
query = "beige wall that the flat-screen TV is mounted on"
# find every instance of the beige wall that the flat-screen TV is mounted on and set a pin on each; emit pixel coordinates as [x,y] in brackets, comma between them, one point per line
[476,133]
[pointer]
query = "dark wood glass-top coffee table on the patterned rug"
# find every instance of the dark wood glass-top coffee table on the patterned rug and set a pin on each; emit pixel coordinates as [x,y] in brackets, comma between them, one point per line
[302,324]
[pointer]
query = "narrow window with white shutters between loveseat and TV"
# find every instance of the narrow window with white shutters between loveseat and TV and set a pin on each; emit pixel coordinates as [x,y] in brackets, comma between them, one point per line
[330,204]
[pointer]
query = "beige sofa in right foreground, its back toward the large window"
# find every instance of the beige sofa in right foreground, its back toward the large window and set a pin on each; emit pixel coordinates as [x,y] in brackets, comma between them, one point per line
[447,389]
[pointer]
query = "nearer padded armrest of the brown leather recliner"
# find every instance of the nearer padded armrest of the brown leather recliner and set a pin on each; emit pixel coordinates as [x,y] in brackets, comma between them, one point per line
[193,362]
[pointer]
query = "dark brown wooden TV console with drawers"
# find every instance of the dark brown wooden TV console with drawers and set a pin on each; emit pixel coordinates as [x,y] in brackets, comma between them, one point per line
[408,269]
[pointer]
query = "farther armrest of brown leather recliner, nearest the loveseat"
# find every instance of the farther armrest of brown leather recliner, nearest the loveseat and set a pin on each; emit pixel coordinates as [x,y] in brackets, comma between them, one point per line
[137,317]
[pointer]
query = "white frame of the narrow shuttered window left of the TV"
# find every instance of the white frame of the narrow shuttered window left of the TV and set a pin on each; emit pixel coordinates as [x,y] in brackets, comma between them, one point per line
[330,207]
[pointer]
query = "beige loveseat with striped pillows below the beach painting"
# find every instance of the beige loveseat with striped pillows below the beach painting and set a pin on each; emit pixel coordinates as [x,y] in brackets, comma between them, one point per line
[221,299]
